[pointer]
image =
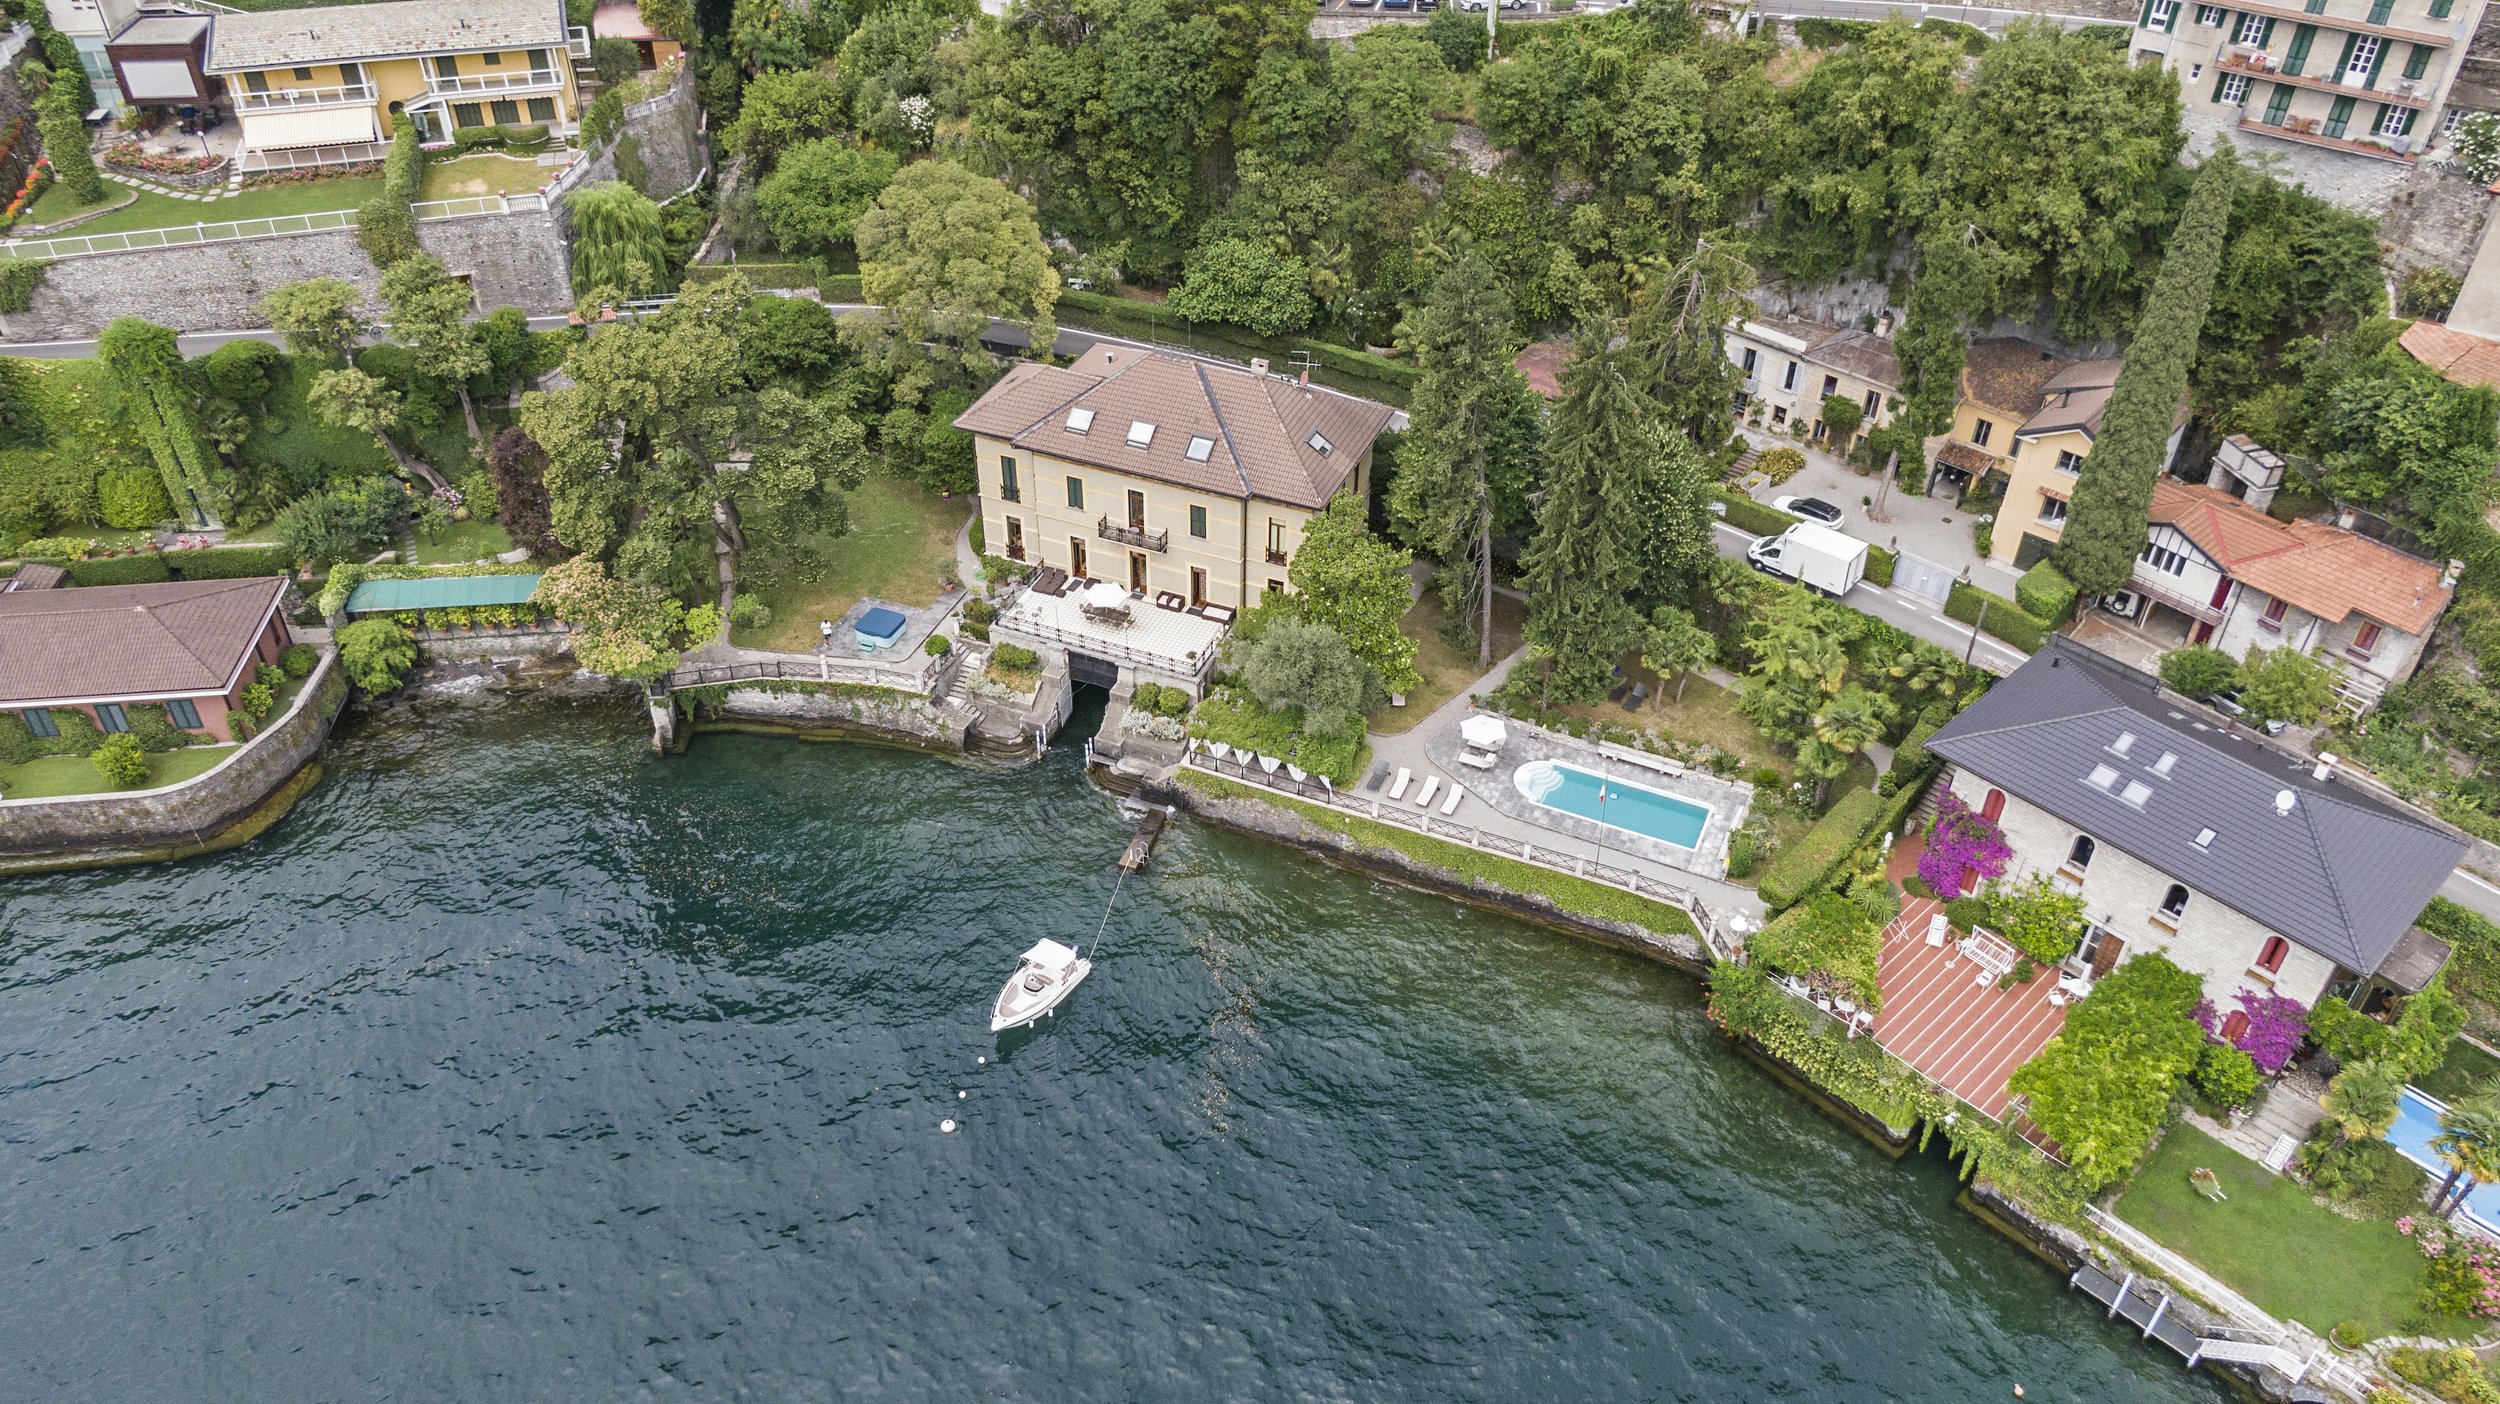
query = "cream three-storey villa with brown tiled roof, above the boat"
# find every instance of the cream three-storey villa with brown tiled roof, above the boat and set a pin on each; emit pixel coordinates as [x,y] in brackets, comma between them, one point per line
[1181,481]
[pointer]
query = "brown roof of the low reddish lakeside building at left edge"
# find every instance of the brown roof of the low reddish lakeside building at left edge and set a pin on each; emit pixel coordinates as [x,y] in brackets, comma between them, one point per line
[129,641]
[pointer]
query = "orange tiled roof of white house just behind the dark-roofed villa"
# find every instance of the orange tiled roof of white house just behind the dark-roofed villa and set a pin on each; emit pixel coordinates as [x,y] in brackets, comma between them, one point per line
[2324,571]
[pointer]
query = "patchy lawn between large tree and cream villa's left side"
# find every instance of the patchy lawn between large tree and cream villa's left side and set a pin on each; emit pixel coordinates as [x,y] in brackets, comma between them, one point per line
[899,536]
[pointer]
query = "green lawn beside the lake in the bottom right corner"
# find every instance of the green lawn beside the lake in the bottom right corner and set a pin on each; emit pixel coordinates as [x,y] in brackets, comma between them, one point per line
[2276,1245]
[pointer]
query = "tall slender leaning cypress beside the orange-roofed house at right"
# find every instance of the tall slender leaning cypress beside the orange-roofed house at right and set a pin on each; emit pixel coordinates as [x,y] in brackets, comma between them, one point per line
[2114,498]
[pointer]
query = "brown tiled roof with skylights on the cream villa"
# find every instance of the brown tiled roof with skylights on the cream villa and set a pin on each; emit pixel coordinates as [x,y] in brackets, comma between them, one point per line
[1266,436]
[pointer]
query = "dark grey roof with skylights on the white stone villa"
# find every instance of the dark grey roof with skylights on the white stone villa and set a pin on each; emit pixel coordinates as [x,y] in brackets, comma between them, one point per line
[2344,873]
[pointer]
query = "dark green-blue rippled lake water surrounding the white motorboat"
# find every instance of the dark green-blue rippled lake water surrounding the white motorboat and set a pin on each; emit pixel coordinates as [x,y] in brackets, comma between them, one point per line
[526,1065]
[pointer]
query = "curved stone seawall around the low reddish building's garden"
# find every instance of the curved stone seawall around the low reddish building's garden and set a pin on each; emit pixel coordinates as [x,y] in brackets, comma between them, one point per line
[224,808]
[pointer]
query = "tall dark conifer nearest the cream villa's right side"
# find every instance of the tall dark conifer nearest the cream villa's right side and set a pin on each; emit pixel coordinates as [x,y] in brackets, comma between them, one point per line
[1444,496]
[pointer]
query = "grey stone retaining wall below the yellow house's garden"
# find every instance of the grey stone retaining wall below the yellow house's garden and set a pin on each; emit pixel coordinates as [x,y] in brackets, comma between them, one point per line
[514,261]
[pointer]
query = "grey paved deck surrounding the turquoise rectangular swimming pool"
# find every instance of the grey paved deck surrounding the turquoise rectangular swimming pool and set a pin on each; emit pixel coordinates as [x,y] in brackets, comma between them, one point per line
[1729,801]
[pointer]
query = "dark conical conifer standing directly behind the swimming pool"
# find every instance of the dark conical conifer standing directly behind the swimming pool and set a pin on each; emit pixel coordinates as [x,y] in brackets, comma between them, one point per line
[1586,558]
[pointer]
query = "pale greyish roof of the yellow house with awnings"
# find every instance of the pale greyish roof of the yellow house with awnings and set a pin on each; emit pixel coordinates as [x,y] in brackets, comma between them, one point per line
[331,34]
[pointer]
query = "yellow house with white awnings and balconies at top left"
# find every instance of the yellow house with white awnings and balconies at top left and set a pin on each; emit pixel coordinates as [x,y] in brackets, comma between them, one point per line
[324,86]
